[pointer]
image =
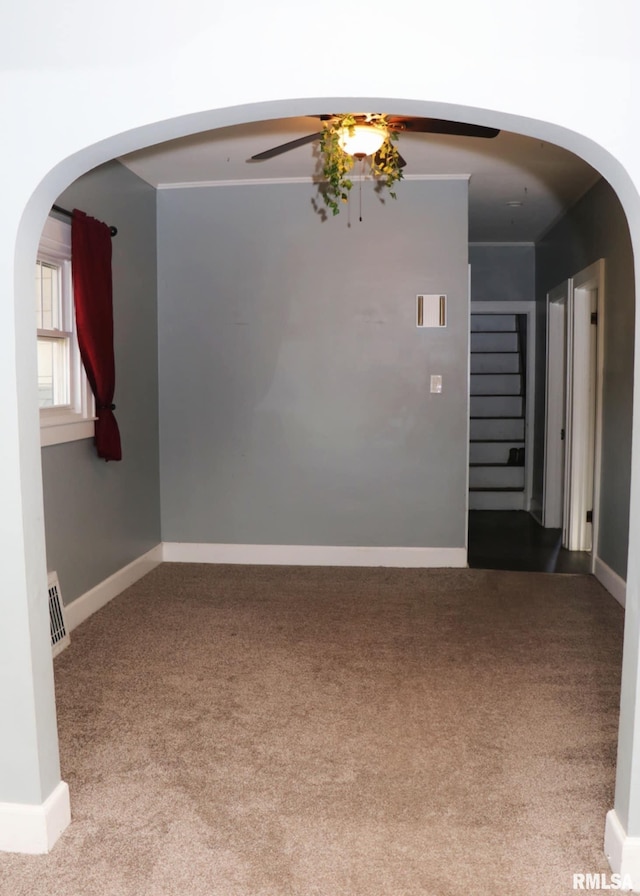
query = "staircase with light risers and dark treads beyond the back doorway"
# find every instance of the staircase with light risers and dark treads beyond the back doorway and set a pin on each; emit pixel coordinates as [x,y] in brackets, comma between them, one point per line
[497,425]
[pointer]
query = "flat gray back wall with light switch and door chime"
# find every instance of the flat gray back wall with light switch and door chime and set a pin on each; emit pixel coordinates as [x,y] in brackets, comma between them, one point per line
[294,384]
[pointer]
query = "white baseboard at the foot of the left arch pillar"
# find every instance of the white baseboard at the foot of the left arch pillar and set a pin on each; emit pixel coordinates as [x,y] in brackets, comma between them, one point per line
[35,829]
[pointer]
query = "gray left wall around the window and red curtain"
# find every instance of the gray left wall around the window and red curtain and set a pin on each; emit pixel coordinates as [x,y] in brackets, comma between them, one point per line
[100,516]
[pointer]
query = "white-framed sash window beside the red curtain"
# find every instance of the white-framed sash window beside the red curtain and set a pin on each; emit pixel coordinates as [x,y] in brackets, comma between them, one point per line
[64,396]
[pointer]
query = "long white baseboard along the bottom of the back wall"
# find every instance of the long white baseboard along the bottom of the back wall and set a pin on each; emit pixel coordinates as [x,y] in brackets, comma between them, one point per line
[313,555]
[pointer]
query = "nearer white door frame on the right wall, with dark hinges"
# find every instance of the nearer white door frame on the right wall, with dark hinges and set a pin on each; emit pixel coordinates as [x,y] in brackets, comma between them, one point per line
[584,436]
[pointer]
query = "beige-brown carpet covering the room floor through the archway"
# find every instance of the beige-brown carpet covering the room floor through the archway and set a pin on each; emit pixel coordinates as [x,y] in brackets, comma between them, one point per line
[271,731]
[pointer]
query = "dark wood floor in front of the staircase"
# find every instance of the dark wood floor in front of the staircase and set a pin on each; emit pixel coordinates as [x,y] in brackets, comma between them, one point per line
[512,539]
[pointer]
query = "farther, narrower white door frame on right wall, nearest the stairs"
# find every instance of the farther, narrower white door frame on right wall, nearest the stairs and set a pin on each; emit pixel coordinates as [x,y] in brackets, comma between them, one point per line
[558,301]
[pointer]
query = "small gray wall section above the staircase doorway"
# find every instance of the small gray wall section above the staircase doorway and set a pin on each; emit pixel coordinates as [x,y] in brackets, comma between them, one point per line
[502,273]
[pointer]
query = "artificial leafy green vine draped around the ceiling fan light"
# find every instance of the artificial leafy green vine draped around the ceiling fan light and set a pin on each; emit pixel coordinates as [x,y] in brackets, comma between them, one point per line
[385,163]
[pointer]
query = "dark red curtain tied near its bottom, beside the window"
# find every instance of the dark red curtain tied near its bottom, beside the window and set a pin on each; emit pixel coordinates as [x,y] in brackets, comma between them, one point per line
[93,297]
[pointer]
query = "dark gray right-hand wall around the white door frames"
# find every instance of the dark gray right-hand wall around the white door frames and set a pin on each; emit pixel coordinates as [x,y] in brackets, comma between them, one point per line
[595,228]
